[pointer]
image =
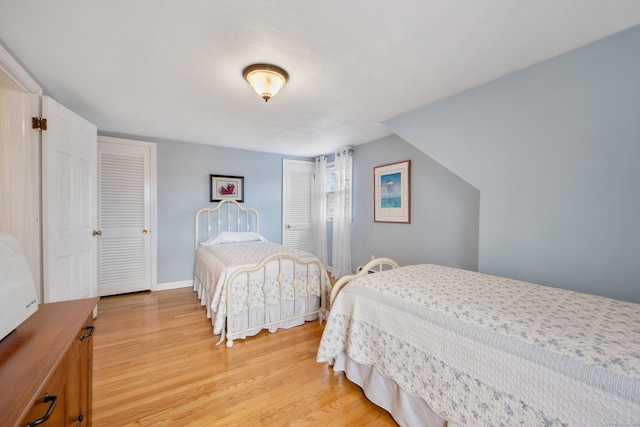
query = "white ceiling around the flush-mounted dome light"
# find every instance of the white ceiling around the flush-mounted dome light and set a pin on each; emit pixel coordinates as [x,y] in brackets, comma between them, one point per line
[172,70]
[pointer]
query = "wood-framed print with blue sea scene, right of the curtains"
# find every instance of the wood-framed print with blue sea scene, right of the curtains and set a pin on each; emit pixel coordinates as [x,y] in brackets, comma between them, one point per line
[391,193]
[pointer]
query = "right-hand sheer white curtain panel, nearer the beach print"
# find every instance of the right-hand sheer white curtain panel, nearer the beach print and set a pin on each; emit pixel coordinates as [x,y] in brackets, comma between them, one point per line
[341,248]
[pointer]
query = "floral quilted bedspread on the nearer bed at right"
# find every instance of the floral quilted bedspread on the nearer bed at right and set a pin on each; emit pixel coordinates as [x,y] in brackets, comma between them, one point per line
[484,350]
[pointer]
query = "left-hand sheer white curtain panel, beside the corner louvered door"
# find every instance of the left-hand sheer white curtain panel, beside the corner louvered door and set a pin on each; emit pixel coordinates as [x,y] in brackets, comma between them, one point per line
[319,210]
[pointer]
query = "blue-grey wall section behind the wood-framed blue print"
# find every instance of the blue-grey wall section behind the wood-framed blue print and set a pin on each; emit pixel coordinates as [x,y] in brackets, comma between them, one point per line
[444,211]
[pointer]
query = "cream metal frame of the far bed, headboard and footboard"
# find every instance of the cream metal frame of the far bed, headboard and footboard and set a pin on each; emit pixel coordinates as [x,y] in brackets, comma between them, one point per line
[237,218]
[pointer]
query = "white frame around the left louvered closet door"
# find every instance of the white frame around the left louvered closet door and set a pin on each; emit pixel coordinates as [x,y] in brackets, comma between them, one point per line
[153,236]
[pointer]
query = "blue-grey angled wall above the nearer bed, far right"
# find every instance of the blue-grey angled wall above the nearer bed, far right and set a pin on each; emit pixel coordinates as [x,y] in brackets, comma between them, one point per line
[554,150]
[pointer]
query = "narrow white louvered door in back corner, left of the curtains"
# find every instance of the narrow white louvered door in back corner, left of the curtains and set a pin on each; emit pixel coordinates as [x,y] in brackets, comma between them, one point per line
[297,185]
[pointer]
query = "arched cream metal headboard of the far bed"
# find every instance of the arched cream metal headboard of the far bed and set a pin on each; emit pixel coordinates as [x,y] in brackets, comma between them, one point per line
[227,215]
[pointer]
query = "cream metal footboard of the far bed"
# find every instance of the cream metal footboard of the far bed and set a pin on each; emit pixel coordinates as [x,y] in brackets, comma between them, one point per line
[290,270]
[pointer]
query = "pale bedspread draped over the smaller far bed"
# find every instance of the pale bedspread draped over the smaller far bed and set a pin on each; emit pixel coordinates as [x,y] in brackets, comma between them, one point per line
[216,262]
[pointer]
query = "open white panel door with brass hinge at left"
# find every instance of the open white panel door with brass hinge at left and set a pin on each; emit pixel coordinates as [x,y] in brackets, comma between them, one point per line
[69,205]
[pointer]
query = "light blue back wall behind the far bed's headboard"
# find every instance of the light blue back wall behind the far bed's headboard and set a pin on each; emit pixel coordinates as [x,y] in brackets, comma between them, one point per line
[183,188]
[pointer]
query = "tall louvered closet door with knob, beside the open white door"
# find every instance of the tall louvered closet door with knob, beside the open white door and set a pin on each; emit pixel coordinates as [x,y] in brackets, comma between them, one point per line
[124,217]
